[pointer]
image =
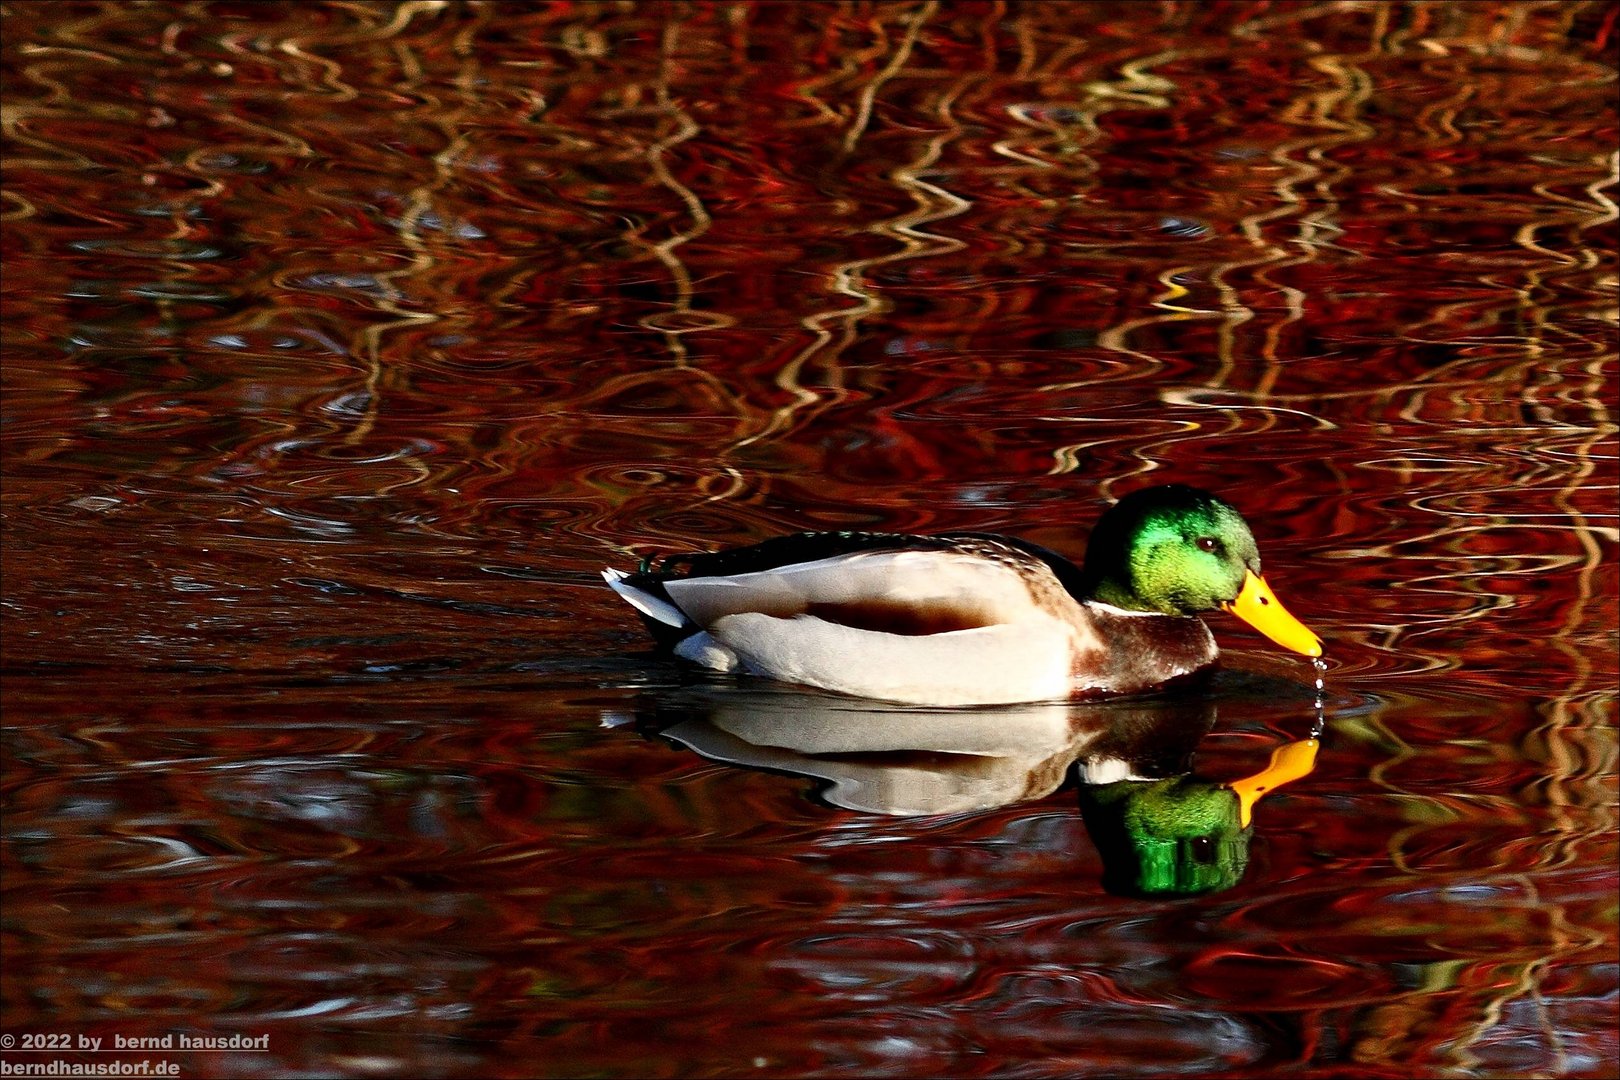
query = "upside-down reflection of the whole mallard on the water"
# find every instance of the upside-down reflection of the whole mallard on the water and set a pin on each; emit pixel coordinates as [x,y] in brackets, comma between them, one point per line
[1161,830]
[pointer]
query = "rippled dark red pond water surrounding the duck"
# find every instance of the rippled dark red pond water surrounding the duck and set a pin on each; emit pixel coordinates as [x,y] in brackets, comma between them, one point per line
[347,342]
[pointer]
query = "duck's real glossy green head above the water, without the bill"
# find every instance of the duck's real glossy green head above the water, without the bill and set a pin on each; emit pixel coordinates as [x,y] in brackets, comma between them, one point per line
[1170,550]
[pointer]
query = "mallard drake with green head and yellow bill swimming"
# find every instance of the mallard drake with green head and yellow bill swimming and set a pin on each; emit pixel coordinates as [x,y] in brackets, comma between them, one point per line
[971,619]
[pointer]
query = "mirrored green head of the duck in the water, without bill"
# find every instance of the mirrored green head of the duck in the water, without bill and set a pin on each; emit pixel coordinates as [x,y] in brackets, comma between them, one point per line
[1167,838]
